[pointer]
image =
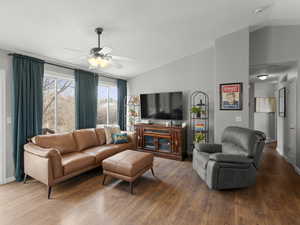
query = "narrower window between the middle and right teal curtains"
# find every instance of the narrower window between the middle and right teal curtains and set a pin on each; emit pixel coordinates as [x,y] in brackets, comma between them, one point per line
[107,104]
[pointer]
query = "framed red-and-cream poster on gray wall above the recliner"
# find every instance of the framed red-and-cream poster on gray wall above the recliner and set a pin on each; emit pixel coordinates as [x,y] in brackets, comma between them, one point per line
[231,96]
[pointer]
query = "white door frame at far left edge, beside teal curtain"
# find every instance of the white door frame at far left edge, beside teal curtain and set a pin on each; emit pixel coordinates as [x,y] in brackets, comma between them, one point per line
[2,127]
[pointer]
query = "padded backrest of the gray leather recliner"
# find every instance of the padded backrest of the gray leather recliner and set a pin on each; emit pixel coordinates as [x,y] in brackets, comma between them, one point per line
[245,139]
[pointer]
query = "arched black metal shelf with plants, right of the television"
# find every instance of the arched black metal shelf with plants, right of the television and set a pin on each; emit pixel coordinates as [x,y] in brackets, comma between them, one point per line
[199,117]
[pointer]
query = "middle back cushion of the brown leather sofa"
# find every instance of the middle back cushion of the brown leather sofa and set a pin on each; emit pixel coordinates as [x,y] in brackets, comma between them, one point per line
[86,138]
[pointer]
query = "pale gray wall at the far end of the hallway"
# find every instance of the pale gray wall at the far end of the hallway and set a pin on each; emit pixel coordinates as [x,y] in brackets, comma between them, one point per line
[265,122]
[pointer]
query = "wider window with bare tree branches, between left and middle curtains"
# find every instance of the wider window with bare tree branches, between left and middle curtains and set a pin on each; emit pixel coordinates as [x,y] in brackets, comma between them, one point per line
[59,104]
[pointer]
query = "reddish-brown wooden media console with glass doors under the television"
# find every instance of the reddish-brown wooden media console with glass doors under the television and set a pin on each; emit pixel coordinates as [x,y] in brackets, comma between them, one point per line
[164,141]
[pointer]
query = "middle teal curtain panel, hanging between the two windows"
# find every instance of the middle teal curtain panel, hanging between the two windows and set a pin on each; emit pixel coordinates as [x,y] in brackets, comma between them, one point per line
[86,90]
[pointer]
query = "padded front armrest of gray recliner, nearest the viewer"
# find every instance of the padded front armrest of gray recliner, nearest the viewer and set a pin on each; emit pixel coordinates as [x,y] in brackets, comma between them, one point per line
[230,158]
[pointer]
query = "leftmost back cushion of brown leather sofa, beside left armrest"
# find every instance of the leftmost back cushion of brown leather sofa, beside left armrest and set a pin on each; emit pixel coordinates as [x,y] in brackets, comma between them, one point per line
[64,142]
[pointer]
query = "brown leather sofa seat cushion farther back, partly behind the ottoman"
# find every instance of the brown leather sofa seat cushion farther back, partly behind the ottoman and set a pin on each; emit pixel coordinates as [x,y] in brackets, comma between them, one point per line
[105,151]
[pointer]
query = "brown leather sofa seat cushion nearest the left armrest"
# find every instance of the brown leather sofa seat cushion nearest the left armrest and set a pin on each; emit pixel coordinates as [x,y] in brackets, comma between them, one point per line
[75,161]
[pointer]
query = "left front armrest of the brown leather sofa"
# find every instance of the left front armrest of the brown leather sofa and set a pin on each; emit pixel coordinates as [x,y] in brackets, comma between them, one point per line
[43,164]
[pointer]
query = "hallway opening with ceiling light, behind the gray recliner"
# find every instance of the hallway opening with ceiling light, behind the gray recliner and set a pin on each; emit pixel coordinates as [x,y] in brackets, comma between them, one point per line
[265,83]
